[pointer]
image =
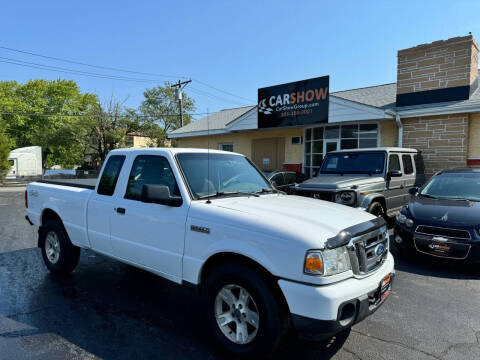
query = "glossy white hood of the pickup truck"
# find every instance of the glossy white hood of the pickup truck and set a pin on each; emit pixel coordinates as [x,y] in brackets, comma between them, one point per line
[288,216]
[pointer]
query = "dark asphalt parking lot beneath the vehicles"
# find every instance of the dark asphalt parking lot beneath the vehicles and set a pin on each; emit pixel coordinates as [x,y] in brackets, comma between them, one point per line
[109,310]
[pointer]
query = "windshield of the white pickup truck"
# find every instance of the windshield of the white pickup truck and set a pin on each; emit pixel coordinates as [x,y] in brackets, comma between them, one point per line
[229,175]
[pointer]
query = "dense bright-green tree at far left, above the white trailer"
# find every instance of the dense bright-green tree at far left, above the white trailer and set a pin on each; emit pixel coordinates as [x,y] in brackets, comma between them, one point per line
[63,137]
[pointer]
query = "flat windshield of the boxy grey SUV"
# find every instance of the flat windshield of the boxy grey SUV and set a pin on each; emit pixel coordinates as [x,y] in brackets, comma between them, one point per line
[353,163]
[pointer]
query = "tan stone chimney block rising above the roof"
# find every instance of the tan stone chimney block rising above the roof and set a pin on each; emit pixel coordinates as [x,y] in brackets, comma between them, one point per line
[441,64]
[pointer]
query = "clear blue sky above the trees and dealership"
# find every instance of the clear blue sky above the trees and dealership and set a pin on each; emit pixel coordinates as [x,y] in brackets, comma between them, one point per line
[228,48]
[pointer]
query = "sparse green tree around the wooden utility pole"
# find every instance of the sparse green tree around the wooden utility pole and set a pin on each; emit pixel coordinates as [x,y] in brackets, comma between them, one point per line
[160,107]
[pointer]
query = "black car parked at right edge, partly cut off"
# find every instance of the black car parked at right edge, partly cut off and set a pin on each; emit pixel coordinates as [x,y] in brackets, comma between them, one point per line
[442,218]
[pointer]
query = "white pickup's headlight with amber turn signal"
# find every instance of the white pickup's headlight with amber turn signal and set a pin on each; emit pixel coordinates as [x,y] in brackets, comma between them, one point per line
[327,262]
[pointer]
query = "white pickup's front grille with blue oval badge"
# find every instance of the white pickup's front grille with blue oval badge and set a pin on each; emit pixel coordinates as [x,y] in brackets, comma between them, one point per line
[368,251]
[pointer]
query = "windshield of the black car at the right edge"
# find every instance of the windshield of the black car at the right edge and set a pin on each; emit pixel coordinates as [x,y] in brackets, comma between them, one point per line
[455,186]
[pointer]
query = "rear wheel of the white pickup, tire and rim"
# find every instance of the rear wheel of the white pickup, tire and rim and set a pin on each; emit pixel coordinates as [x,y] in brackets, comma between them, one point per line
[59,254]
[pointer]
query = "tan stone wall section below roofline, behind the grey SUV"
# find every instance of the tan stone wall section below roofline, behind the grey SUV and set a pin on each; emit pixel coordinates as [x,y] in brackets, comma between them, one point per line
[443,140]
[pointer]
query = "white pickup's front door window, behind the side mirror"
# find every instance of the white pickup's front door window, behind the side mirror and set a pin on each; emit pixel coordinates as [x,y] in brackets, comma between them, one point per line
[150,170]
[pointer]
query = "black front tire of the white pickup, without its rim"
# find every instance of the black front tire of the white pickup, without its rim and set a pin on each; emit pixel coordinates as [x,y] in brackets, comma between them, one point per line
[273,320]
